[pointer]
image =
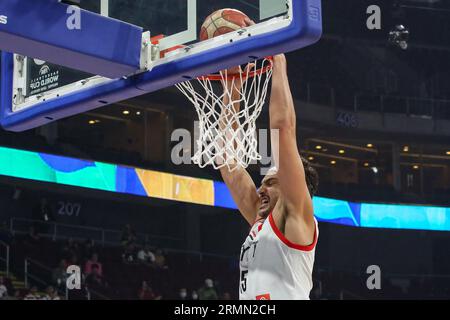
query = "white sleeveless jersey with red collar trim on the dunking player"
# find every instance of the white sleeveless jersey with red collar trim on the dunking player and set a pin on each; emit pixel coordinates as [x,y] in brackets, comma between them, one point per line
[273,268]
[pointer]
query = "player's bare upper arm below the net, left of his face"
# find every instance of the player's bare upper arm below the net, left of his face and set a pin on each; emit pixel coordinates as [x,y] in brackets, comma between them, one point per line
[243,191]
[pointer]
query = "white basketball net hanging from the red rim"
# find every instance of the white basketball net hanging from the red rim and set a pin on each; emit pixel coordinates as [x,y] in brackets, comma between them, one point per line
[227,115]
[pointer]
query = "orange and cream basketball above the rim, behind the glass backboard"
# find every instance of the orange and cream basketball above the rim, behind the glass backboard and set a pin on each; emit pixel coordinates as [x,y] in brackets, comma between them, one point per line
[221,22]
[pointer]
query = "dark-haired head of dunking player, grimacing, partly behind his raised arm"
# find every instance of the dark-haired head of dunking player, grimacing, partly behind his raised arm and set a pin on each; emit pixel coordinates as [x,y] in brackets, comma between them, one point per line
[269,192]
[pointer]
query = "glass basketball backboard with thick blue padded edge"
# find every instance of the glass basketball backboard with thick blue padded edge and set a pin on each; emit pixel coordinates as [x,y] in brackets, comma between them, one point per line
[35,92]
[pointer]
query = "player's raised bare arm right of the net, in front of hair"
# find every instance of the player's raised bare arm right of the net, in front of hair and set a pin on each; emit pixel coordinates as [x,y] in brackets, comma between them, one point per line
[296,200]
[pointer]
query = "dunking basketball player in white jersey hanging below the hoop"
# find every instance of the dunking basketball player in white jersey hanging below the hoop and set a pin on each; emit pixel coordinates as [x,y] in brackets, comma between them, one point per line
[277,258]
